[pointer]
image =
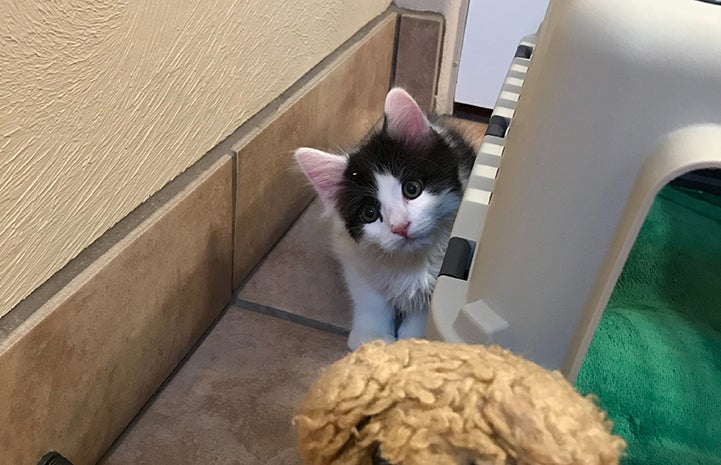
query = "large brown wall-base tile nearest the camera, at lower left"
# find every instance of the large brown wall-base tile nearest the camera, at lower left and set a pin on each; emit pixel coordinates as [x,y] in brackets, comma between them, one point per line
[76,371]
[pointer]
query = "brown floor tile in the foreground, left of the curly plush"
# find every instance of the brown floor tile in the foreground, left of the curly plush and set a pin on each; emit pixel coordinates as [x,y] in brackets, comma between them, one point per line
[233,399]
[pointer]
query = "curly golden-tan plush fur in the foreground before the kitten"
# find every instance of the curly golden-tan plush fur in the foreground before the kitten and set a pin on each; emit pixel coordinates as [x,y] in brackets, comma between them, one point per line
[430,403]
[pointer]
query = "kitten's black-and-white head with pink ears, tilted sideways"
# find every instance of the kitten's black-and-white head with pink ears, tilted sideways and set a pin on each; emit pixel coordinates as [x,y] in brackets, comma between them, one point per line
[398,188]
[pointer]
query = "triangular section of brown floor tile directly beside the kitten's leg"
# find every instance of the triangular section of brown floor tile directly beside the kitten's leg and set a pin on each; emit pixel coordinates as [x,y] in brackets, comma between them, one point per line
[301,276]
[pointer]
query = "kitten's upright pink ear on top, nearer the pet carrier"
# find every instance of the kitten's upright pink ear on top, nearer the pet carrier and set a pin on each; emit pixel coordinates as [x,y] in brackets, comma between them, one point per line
[404,118]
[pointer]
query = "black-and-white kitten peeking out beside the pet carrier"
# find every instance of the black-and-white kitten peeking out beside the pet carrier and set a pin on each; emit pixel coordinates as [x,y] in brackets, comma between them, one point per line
[393,201]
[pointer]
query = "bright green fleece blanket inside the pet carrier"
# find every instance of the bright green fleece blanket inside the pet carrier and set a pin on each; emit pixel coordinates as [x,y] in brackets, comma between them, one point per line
[655,361]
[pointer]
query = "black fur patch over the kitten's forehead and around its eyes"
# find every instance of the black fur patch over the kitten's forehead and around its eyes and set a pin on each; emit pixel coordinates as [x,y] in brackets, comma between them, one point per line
[435,163]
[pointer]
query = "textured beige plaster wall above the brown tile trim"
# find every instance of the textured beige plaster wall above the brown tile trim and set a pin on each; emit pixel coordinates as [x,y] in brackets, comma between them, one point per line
[102,102]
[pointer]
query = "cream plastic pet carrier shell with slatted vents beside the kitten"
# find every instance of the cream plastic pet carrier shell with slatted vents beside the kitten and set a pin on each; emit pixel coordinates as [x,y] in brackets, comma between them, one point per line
[600,109]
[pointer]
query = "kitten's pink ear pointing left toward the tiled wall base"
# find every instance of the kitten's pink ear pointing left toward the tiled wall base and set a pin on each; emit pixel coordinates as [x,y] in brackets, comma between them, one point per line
[324,170]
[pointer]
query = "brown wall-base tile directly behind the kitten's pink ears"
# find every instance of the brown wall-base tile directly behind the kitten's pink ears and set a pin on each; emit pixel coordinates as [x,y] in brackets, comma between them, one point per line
[334,109]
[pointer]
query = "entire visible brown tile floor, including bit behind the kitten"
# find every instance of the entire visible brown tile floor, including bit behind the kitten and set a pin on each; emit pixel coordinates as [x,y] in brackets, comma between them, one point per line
[233,399]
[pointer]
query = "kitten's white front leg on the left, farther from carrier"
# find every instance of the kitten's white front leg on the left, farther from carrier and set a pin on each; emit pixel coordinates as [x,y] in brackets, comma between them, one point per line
[373,316]
